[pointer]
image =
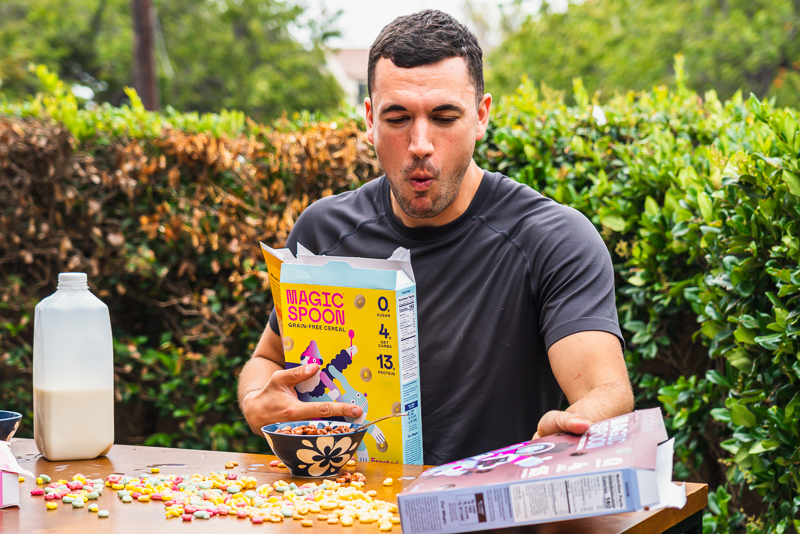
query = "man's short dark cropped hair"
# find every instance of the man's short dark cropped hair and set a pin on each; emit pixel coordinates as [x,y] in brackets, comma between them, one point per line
[426,38]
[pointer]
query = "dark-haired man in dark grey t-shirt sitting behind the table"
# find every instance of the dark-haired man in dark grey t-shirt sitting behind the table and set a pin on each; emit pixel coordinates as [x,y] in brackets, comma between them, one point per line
[515,292]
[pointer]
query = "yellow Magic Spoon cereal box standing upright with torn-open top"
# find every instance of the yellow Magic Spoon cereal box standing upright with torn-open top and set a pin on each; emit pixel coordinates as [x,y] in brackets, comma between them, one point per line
[357,319]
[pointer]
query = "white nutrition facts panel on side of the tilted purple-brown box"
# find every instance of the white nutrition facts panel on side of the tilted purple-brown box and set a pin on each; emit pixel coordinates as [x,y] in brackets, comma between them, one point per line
[577,495]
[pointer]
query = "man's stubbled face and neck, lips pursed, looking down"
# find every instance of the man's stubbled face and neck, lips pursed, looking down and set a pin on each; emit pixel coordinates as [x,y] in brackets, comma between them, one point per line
[424,123]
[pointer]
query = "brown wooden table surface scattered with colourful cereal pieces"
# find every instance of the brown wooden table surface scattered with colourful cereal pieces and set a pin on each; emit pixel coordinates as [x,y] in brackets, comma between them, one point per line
[141,518]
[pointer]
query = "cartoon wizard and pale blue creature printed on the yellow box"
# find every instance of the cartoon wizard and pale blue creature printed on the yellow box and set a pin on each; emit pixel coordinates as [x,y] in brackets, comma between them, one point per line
[314,389]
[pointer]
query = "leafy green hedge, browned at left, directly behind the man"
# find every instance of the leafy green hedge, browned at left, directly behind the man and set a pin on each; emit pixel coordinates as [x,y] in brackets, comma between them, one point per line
[696,199]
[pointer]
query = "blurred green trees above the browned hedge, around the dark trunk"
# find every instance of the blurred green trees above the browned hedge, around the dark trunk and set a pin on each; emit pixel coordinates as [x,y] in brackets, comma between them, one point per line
[211,55]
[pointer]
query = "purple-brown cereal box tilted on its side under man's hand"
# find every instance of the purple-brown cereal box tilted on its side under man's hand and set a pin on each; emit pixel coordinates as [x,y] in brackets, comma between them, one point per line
[620,465]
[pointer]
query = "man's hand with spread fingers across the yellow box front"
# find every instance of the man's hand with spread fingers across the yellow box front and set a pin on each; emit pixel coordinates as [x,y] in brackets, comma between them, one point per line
[277,401]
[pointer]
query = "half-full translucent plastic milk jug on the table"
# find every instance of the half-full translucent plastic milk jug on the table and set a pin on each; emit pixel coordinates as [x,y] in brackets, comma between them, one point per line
[73,373]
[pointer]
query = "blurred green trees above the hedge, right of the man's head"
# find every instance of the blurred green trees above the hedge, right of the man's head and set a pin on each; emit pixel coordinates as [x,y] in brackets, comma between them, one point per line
[620,45]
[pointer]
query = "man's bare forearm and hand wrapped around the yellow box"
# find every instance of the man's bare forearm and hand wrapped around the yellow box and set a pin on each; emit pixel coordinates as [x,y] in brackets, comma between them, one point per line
[266,389]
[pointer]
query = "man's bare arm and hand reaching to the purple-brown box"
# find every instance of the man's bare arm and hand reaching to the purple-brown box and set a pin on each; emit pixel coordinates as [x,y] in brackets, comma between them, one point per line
[590,368]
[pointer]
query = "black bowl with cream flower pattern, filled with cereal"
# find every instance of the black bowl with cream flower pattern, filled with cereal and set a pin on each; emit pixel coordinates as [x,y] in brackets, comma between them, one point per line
[313,455]
